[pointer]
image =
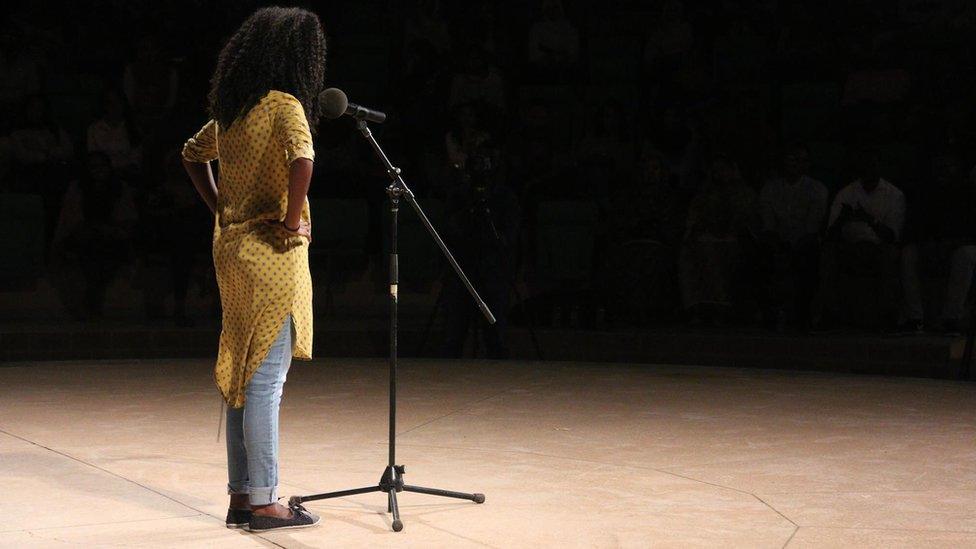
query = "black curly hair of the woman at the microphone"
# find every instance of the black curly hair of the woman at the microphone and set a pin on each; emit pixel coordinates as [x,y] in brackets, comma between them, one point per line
[276,48]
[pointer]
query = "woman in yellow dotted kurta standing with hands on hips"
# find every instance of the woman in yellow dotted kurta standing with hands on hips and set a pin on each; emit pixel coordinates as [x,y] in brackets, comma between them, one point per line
[263,106]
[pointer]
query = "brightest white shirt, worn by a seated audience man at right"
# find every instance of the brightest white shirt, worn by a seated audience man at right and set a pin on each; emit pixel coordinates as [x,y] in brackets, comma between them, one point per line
[884,205]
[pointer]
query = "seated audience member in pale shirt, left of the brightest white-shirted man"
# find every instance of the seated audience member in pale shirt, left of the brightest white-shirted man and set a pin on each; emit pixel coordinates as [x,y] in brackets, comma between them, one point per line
[793,207]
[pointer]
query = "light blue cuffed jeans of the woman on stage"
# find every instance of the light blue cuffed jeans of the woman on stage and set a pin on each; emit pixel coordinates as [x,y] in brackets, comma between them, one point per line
[252,431]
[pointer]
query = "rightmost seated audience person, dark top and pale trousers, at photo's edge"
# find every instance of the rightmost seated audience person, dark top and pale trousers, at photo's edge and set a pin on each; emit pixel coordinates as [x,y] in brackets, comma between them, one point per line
[941,230]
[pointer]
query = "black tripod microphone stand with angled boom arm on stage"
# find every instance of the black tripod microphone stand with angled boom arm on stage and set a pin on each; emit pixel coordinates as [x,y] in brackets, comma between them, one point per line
[391,481]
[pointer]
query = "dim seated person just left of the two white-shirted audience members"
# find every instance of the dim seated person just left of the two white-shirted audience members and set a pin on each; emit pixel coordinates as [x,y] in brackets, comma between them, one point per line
[722,217]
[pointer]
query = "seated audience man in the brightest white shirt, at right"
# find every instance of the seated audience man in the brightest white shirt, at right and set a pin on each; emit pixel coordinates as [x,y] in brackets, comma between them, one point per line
[863,231]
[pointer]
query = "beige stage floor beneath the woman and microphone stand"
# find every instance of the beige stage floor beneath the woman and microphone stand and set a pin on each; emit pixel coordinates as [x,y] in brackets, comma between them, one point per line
[569,455]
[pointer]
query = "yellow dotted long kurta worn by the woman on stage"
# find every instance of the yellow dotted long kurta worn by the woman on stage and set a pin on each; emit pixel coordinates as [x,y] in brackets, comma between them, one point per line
[262,271]
